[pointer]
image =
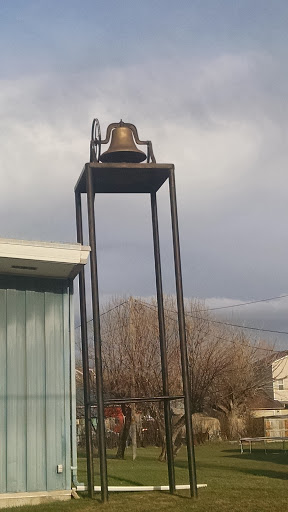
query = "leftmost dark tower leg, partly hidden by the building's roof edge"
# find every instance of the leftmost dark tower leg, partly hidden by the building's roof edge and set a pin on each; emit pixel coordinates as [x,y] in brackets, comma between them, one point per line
[85,357]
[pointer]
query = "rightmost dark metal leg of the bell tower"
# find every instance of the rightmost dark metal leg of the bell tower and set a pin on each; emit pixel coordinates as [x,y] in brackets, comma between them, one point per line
[182,337]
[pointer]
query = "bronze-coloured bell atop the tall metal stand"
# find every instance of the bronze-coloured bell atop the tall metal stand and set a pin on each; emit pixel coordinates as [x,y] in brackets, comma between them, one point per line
[122,148]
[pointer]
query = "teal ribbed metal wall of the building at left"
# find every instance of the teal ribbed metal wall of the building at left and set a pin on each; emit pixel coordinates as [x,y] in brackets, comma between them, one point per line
[34,384]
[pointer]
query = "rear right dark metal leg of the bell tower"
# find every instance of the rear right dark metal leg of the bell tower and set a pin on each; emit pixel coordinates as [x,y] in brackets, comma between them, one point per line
[162,338]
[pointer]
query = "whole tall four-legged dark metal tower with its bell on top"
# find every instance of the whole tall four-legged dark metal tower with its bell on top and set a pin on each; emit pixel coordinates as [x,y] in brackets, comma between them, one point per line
[120,170]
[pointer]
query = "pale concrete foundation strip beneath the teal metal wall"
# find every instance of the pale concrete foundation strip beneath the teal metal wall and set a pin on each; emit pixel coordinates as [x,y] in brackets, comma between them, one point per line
[32,498]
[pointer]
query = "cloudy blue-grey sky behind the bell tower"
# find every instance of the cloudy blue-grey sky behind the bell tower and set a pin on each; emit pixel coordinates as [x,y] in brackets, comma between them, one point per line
[206,81]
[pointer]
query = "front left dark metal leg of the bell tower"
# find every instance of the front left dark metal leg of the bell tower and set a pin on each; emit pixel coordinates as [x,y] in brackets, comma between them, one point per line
[97,338]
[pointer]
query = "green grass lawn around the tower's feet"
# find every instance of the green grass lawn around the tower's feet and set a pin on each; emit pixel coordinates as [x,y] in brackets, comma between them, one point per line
[236,483]
